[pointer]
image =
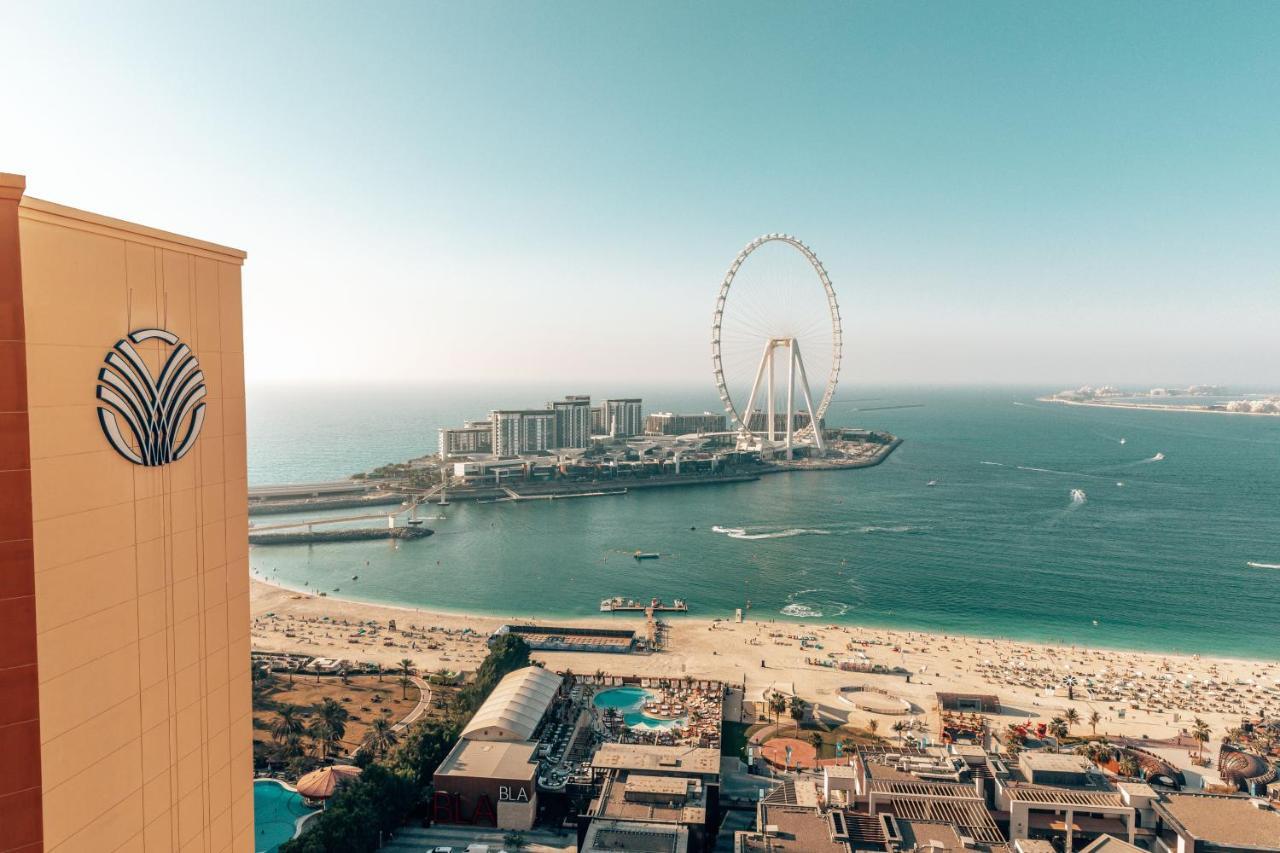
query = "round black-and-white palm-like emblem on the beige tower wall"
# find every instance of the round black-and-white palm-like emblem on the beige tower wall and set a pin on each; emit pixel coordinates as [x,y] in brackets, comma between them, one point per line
[152,421]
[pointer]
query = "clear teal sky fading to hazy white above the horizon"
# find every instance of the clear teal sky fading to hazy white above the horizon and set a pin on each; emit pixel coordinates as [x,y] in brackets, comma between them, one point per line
[497,193]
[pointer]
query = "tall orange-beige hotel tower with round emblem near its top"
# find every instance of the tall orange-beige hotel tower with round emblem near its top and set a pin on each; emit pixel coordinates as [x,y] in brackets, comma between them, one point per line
[125,651]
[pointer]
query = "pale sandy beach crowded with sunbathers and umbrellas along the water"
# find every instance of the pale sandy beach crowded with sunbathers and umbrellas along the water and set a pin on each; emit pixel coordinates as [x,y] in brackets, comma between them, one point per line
[1135,694]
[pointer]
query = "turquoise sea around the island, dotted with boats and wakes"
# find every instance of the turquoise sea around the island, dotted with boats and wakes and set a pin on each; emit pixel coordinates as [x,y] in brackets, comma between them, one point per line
[998,517]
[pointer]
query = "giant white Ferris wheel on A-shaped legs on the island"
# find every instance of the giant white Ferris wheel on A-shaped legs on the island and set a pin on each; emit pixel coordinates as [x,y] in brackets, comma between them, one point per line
[776,309]
